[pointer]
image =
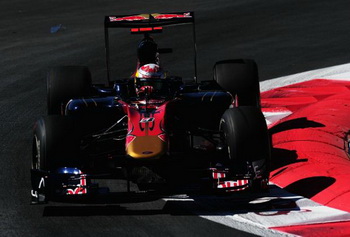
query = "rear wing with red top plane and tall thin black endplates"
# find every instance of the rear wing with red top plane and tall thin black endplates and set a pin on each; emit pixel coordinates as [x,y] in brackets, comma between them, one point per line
[148,23]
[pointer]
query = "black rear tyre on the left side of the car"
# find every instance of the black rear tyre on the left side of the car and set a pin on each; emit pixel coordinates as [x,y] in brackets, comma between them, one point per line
[65,83]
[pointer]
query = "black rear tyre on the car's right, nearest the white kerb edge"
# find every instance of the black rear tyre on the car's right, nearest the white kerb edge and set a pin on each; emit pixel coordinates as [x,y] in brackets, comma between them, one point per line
[240,78]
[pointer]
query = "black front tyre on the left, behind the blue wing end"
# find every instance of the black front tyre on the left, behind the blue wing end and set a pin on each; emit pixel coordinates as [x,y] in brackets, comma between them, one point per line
[55,144]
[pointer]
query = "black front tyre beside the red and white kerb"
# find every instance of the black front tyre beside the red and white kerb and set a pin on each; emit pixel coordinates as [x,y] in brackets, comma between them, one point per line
[246,137]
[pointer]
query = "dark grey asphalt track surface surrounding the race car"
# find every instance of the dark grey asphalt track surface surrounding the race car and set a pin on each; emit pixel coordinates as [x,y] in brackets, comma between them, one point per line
[284,37]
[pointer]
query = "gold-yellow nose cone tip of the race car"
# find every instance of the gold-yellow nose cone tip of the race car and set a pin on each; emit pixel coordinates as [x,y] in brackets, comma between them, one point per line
[146,147]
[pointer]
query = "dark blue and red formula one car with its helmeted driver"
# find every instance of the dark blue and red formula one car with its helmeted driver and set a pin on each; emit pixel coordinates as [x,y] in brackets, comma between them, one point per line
[150,127]
